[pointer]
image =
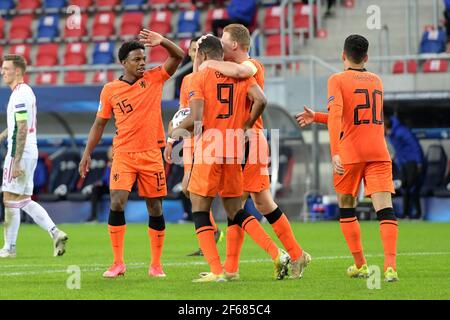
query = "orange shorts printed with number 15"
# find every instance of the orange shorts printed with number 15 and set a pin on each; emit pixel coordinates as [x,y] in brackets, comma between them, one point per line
[147,167]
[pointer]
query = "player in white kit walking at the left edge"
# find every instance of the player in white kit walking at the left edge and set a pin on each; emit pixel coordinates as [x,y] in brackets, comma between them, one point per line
[21,160]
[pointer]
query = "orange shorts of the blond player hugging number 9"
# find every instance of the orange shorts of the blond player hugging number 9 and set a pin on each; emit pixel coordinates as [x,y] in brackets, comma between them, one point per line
[256,168]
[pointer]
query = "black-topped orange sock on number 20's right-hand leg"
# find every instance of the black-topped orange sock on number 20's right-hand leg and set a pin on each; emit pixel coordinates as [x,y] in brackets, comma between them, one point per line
[389,235]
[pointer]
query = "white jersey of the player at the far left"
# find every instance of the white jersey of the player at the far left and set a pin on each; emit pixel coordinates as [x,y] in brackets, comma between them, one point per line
[22,100]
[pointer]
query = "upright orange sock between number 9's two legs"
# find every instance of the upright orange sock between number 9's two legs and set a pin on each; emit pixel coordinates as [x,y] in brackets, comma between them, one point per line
[235,239]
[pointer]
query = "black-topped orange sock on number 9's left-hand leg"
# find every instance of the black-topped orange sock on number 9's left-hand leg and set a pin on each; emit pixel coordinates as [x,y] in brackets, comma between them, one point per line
[205,235]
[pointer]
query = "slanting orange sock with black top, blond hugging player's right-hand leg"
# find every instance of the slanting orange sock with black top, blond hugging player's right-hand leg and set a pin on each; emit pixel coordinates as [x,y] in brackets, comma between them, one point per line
[283,230]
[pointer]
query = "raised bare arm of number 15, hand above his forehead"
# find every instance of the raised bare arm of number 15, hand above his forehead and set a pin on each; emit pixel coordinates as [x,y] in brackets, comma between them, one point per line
[176,54]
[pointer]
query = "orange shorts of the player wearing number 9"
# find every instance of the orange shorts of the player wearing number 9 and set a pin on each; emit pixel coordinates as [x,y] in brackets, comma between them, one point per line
[208,180]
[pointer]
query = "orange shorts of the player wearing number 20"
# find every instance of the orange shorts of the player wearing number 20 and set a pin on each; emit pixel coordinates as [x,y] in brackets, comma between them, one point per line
[377,177]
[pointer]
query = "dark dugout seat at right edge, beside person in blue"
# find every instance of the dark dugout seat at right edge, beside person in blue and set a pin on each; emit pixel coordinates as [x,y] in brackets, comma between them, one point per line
[435,168]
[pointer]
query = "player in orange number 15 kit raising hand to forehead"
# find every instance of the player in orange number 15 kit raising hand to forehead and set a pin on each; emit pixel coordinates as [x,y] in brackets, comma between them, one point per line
[135,102]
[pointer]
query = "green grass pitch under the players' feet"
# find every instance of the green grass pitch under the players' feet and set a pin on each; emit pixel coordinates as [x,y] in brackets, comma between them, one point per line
[423,265]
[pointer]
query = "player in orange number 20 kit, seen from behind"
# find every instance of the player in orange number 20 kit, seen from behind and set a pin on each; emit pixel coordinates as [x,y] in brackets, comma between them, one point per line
[359,152]
